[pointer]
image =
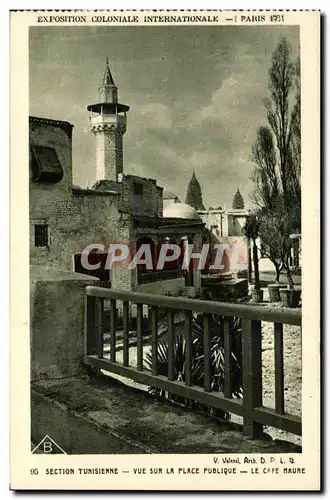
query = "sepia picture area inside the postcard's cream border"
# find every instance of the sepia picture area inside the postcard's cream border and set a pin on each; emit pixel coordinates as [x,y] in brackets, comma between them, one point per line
[150,147]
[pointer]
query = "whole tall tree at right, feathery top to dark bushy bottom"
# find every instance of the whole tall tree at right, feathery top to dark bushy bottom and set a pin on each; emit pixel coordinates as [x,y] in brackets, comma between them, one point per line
[276,154]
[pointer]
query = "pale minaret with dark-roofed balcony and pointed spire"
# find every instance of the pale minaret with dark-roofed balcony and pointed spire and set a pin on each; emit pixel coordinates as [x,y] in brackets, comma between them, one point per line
[108,126]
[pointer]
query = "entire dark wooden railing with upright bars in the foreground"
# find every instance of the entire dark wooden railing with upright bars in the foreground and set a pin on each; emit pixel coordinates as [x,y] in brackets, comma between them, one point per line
[250,407]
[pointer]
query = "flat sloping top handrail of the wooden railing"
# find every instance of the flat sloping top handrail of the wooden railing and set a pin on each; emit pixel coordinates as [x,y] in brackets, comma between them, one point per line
[244,311]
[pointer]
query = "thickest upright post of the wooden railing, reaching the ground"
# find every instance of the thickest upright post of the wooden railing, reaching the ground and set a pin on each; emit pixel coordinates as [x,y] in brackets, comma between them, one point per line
[252,375]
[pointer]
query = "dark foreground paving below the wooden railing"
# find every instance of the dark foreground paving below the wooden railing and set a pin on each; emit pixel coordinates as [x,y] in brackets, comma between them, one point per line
[141,421]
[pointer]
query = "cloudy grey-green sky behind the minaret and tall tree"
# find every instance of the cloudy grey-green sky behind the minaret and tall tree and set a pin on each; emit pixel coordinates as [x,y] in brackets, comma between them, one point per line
[196,96]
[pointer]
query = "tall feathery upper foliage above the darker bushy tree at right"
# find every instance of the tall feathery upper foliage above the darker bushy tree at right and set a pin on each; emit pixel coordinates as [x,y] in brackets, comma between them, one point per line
[276,151]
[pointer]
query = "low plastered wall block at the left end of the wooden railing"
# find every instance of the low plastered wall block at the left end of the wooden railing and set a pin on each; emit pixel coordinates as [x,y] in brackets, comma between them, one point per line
[57,322]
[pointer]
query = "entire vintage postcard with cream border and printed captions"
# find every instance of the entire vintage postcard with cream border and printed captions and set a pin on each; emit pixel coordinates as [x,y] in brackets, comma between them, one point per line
[165,291]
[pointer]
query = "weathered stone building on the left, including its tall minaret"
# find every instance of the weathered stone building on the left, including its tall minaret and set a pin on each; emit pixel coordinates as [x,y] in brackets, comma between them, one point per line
[118,209]
